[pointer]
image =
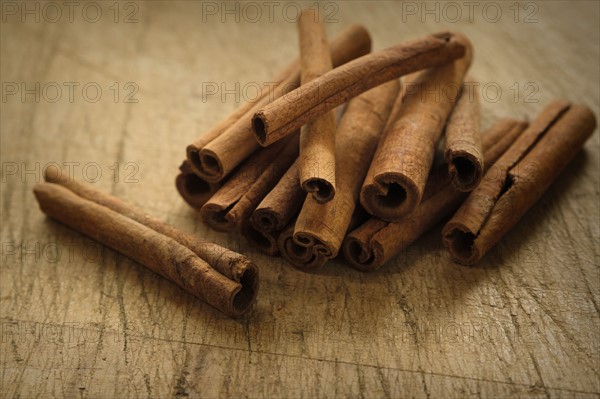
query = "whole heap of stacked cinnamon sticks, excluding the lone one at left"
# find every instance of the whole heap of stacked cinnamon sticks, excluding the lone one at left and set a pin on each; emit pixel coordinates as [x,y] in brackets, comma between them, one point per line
[351,152]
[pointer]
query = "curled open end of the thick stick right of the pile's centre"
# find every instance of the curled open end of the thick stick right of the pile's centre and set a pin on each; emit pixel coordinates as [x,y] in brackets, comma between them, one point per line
[392,197]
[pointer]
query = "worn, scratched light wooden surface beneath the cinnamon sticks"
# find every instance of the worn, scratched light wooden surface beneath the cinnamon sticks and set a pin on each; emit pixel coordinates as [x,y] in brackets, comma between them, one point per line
[79,320]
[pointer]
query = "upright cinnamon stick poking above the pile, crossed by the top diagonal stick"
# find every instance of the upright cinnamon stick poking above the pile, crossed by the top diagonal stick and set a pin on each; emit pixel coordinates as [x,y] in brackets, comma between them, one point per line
[317,137]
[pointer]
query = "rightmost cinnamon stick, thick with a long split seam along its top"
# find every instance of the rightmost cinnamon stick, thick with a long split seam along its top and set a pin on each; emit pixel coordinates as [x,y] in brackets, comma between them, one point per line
[517,180]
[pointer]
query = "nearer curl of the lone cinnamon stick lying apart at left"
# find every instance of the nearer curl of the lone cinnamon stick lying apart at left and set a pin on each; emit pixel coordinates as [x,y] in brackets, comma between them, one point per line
[160,253]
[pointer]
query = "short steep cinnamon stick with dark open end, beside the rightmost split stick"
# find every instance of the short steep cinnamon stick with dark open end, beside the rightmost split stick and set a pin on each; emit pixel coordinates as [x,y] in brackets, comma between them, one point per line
[463,152]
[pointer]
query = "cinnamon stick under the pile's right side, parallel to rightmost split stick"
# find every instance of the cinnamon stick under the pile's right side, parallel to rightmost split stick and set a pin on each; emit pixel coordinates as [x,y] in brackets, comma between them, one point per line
[375,242]
